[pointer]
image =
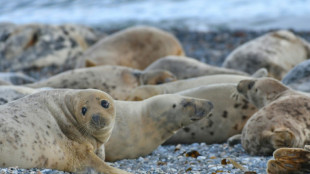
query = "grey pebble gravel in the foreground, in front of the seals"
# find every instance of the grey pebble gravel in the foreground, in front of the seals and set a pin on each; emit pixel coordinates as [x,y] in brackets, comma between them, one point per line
[193,159]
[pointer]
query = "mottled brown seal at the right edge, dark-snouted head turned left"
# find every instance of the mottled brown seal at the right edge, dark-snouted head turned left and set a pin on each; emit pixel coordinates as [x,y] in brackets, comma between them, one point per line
[282,120]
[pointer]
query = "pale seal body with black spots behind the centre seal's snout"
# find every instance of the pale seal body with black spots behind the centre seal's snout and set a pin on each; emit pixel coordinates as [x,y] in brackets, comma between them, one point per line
[229,115]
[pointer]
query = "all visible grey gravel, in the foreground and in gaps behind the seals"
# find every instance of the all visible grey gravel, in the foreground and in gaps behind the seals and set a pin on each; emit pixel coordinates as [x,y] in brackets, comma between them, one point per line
[210,47]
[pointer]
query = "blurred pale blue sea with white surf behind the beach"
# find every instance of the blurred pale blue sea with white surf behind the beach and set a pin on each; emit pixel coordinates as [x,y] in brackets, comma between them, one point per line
[198,15]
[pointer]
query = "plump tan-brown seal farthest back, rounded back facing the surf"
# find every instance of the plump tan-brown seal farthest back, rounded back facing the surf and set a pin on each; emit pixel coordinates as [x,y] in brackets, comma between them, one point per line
[135,47]
